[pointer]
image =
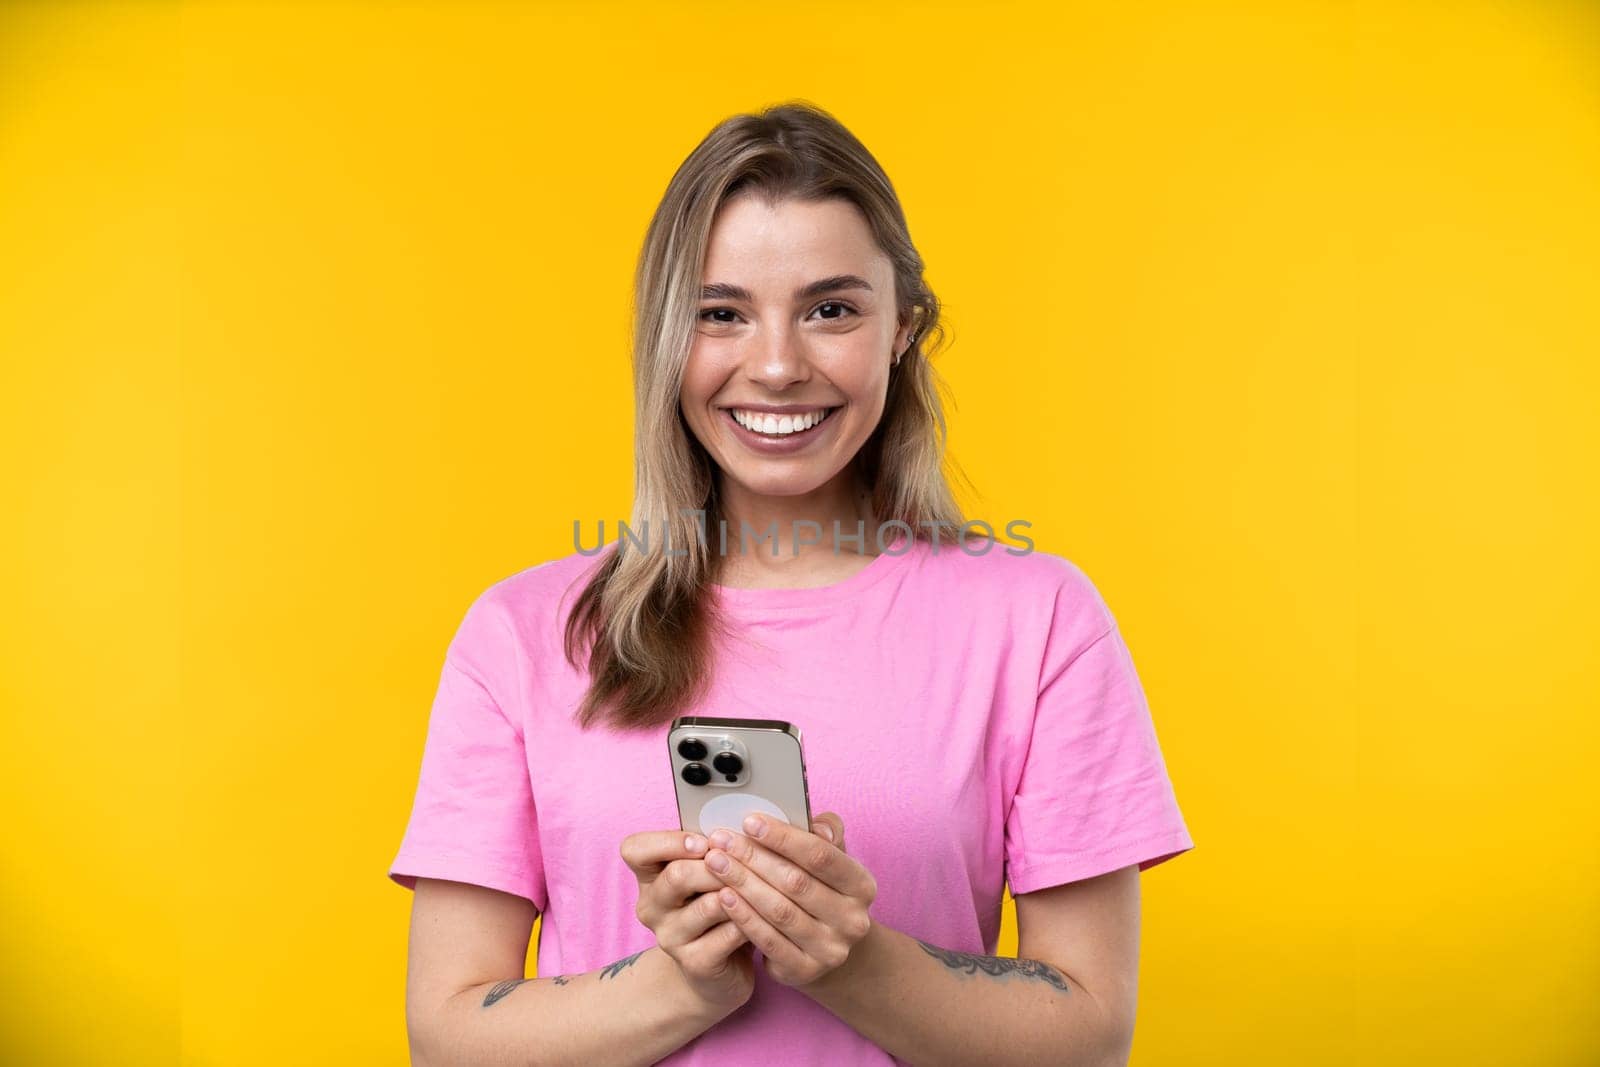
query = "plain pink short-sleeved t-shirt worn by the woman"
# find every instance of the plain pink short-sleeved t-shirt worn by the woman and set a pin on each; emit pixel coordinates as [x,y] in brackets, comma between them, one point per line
[974,719]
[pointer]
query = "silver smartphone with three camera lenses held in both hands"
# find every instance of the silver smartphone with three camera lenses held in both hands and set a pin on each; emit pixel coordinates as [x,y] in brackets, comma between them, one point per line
[727,769]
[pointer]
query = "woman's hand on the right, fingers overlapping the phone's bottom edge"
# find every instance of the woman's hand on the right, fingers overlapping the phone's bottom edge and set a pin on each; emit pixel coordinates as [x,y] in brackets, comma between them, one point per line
[798,897]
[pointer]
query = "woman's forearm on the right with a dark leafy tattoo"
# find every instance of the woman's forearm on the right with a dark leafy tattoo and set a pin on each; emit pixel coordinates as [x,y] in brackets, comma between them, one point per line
[938,1009]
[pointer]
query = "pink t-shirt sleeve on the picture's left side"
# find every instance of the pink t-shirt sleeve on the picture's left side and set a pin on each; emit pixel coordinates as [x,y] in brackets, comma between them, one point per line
[473,818]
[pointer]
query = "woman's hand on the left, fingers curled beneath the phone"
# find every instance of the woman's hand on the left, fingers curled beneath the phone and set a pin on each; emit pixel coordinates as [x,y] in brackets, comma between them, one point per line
[678,901]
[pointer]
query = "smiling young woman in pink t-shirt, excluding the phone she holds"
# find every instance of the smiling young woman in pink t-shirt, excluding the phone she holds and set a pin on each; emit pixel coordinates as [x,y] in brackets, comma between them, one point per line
[970,711]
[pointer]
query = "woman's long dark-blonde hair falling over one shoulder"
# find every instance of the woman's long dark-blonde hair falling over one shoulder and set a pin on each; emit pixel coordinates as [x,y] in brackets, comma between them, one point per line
[646,620]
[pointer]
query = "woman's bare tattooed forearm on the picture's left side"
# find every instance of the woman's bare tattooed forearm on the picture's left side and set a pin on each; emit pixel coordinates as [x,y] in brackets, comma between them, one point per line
[631,1013]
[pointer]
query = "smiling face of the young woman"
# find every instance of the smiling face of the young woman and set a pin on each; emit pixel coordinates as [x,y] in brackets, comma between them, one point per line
[796,321]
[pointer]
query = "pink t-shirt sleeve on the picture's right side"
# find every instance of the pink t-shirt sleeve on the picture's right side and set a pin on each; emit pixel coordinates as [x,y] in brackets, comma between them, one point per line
[1094,794]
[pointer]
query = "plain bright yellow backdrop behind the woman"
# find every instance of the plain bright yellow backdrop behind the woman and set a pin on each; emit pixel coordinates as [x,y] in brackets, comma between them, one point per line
[1278,319]
